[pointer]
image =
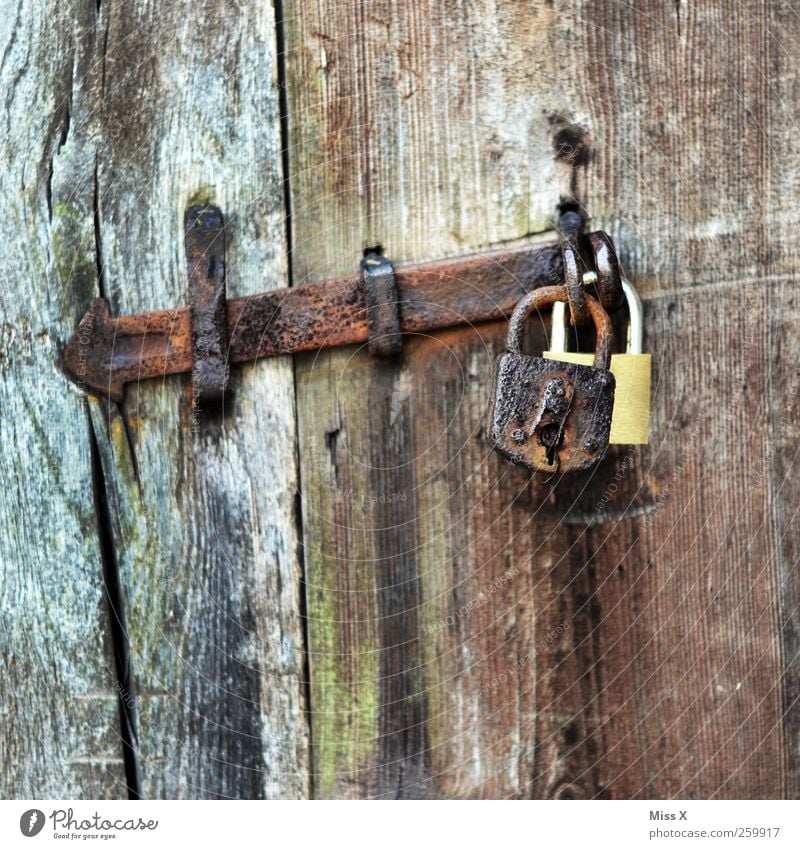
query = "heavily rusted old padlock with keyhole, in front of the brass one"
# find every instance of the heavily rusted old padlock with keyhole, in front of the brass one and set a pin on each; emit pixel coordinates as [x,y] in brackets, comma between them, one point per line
[547,415]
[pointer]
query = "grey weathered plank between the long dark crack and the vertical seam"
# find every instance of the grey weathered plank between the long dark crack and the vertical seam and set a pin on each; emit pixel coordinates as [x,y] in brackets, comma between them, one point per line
[182,108]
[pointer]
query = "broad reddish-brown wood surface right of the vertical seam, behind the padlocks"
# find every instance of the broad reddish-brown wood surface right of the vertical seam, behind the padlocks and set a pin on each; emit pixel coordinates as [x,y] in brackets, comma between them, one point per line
[644,643]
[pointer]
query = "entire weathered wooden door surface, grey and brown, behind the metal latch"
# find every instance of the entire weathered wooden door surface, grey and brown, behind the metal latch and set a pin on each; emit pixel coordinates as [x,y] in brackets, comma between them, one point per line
[337,589]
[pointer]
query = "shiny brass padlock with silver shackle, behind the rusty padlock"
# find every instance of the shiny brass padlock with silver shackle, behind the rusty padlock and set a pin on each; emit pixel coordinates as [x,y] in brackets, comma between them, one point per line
[630,422]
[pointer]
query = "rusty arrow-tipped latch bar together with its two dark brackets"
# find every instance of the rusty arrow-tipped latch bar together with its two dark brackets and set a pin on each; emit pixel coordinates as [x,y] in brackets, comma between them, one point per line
[375,306]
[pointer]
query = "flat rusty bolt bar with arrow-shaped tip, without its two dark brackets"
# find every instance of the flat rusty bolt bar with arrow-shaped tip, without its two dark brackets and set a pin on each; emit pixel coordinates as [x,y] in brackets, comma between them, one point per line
[106,352]
